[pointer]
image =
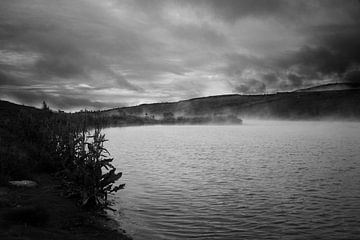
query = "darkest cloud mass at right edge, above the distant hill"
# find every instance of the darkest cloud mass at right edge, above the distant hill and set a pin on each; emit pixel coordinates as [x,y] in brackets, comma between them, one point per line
[335,49]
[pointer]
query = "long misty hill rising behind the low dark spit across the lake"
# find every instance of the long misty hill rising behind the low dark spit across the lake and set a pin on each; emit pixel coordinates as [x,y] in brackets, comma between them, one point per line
[316,103]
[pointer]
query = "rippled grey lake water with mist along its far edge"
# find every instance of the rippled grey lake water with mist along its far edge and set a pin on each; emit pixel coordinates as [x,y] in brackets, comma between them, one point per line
[260,180]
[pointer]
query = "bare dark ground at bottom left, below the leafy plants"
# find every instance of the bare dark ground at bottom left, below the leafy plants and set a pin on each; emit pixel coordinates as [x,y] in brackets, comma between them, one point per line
[43,212]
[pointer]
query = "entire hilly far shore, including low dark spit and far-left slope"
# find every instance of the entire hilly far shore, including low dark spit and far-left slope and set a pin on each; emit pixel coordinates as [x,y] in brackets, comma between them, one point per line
[336,101]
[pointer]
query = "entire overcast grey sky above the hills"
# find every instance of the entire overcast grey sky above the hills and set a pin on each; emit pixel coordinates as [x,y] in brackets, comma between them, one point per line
[101,54]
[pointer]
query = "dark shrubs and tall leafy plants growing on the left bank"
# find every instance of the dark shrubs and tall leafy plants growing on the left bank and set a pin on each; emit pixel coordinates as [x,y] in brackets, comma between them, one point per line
[33,140]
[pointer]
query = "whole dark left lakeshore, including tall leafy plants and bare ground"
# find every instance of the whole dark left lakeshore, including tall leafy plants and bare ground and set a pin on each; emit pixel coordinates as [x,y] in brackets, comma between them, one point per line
[39,144]
